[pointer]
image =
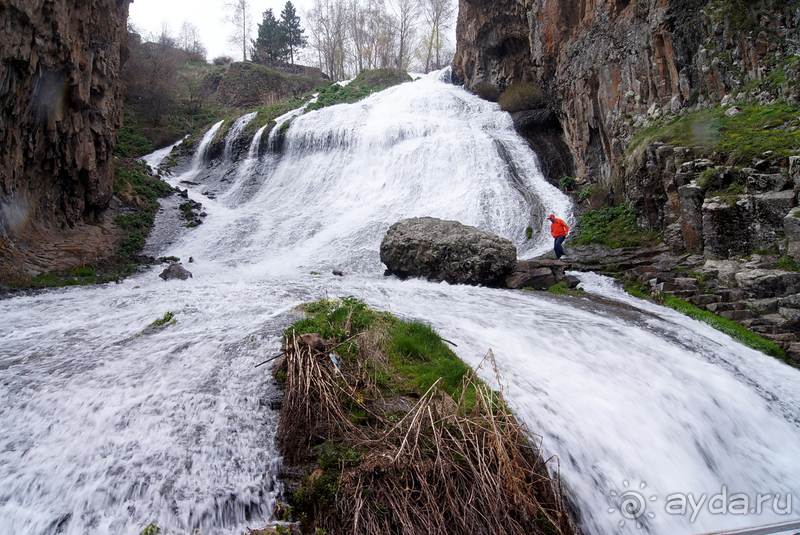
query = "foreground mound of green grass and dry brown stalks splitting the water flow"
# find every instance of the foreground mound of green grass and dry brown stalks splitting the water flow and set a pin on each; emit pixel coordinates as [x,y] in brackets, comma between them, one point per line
[395,433]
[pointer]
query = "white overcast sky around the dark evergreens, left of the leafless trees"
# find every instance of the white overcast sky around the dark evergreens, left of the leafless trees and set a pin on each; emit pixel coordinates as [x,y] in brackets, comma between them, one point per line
[207,15]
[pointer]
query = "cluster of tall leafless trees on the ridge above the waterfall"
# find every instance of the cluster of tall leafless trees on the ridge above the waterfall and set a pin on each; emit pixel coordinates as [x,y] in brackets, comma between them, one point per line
[346,36]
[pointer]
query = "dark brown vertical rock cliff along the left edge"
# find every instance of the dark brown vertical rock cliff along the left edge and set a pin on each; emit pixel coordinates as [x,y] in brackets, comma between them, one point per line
[61,107]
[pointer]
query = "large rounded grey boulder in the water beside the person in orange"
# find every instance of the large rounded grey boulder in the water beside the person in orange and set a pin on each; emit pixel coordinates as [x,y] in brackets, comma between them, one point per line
[447,251]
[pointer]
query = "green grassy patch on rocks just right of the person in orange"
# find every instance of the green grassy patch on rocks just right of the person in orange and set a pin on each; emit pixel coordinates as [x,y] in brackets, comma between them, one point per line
[613,227]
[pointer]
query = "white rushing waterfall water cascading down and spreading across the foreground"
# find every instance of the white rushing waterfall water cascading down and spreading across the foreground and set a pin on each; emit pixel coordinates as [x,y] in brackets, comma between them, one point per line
[109,426]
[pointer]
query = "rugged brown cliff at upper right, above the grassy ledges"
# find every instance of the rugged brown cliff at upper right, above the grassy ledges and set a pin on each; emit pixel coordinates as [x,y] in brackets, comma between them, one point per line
[611,66]
